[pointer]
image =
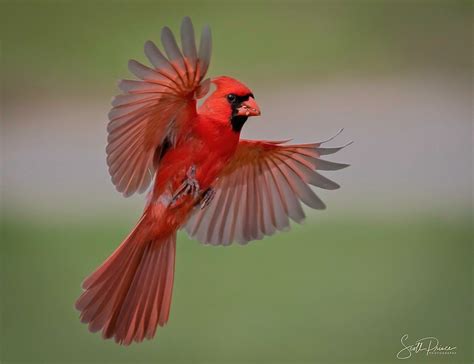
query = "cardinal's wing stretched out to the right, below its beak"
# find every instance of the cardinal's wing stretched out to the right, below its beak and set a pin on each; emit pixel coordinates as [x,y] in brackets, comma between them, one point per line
[261,190]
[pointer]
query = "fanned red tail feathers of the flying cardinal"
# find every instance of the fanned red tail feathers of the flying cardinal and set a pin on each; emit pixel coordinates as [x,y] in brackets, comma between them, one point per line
[129,295]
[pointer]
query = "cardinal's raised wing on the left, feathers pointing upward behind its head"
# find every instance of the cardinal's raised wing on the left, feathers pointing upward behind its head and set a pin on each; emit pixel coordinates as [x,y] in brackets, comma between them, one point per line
[155,110]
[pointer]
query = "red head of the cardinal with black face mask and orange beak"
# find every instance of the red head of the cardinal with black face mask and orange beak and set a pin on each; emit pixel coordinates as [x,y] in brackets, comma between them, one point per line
[232,101]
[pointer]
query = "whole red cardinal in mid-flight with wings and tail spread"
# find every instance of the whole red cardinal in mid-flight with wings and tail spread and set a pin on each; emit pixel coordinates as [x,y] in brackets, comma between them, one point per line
[219,188]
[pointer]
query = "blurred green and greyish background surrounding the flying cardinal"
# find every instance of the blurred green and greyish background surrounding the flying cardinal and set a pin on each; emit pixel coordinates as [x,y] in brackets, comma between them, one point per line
[392,254]
